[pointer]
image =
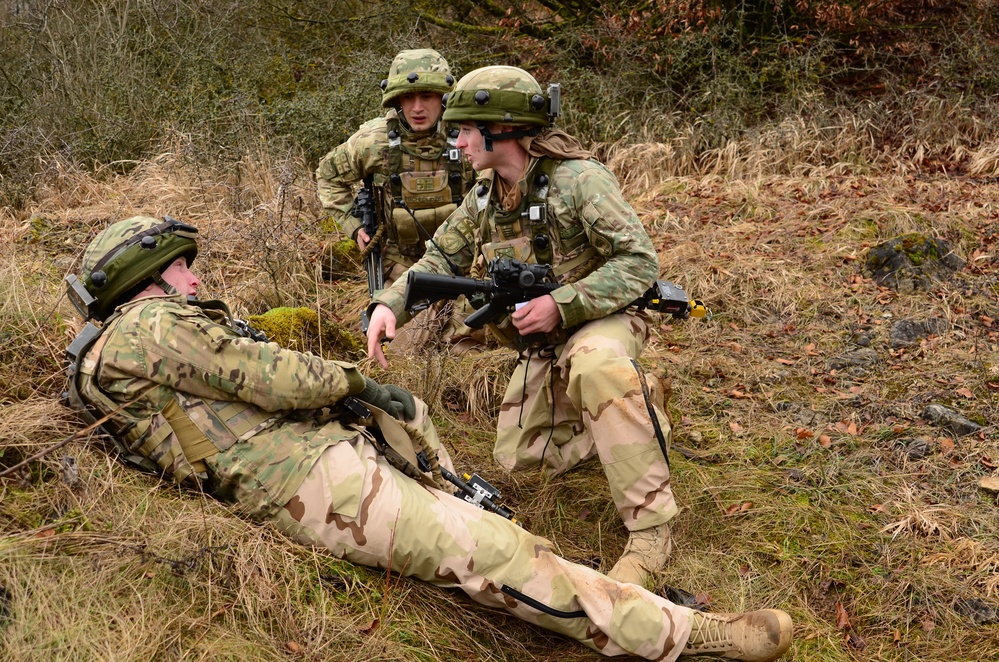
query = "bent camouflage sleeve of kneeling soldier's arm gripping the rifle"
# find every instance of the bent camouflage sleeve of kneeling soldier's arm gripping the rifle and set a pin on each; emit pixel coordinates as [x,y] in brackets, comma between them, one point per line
[594,199]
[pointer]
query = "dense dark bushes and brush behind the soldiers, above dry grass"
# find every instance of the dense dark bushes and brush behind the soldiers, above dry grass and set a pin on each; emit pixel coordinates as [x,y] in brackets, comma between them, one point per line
[304,74]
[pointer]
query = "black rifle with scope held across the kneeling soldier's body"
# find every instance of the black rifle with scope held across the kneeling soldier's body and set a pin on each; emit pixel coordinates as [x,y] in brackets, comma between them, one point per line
[511,282]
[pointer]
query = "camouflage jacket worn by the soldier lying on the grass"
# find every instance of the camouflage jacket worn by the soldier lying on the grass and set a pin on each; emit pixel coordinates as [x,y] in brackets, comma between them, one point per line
[256,411]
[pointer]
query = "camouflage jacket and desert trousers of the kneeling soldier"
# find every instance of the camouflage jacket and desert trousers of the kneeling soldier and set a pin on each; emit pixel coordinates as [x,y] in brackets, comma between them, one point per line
[592,352]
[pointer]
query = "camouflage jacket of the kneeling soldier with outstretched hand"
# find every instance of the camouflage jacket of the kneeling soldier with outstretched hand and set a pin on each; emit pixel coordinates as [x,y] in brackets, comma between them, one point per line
[600,251]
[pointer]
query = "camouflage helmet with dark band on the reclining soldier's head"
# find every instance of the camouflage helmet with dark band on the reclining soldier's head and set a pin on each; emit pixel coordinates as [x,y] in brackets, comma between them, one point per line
[127,253]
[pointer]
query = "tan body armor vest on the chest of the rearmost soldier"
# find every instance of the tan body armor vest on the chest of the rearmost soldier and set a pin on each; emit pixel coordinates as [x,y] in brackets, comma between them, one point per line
[425,184]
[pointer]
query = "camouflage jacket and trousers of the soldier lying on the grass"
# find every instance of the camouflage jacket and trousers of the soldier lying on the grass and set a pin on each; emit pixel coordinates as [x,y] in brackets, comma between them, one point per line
[323,483]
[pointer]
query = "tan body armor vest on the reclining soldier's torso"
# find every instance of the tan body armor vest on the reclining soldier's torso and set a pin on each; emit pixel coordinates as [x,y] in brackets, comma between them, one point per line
[175,441]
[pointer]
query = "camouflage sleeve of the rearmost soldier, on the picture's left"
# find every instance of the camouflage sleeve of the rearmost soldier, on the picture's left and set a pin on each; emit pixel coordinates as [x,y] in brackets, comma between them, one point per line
[340,170]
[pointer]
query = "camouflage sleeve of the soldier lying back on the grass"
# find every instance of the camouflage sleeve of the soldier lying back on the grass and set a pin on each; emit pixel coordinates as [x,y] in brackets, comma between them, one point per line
[180,347]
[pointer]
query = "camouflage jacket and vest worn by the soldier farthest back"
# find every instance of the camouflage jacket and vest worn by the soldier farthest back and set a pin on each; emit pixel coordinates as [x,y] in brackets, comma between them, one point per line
[393,164]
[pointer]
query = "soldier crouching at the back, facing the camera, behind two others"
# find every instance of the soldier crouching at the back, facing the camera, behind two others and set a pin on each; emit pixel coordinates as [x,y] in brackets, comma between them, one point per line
[408,157]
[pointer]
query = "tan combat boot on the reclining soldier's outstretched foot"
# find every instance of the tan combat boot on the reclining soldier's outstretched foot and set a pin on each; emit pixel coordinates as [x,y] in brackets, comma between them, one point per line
[755,636]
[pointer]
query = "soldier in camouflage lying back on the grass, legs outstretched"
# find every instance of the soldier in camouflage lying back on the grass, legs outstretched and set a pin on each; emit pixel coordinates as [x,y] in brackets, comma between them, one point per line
[295,439]
